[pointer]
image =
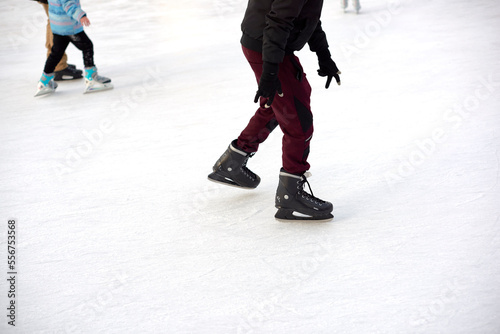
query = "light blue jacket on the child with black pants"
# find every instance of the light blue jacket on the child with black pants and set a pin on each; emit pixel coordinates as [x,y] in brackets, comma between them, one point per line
[65,17]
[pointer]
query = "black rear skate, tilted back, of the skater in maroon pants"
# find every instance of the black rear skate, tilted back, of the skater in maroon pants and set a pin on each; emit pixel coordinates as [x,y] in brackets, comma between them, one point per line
[231,169]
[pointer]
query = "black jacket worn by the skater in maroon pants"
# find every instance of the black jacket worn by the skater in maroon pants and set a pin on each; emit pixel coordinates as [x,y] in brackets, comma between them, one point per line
[279,27]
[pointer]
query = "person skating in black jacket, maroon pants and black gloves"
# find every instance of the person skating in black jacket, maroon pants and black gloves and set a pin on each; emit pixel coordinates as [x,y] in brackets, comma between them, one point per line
[272,31]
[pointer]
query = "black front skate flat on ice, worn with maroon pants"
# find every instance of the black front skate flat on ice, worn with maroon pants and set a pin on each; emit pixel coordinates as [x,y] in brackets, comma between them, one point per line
[294,203]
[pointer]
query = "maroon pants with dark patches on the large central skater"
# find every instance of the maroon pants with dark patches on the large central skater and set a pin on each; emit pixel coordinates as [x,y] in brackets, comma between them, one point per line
[292,113]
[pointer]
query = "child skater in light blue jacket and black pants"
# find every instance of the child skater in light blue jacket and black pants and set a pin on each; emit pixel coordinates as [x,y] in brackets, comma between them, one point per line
[67,20]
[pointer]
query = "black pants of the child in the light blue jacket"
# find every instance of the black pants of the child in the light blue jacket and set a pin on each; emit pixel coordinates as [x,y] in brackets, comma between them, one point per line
[80,40]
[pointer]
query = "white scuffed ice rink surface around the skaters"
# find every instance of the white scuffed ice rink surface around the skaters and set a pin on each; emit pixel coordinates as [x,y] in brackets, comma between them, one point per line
[119,231]
